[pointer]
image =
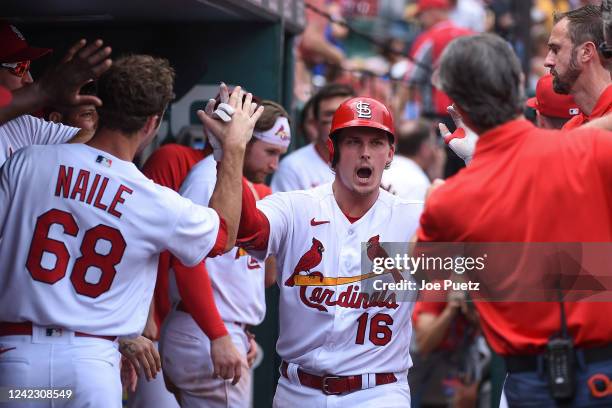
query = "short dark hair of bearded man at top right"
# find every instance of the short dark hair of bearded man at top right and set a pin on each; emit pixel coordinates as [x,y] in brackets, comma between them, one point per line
[584,24]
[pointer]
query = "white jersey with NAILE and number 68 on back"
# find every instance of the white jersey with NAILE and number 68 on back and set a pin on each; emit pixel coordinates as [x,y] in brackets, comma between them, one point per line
[81,233]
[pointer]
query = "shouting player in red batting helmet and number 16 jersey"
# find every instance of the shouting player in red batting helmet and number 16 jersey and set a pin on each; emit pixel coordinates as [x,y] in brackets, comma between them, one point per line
[340,347]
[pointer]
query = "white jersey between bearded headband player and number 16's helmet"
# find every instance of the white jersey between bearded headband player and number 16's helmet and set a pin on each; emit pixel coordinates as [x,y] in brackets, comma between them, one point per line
[301,170]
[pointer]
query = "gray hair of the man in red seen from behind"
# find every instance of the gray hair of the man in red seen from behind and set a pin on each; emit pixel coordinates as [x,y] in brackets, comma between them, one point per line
[482,75]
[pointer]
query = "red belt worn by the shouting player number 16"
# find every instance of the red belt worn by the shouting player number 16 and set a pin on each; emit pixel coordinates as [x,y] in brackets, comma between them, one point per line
[335,385]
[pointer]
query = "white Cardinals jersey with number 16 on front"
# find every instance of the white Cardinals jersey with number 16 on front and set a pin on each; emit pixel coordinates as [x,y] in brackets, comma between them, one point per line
[331,329]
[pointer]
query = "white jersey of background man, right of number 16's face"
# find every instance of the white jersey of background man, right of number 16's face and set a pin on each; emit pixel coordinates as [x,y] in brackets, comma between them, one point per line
[405,179]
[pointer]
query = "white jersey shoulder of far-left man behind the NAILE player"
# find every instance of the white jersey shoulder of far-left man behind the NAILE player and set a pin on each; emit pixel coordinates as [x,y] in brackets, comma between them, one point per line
[27,130]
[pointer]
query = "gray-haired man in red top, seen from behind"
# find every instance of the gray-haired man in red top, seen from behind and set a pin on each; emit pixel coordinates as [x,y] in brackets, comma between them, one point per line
[505,196]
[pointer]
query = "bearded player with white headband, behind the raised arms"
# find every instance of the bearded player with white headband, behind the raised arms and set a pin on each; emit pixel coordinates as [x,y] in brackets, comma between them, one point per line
[237,280]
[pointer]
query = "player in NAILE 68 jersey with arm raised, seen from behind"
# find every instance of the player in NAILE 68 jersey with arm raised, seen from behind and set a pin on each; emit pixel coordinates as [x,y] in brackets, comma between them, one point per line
[81,232]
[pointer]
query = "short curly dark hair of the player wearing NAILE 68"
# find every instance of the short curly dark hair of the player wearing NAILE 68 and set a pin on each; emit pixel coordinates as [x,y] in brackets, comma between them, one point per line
[133,89]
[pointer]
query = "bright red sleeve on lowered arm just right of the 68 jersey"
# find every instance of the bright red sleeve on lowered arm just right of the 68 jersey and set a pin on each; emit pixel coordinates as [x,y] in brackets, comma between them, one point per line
[196,292]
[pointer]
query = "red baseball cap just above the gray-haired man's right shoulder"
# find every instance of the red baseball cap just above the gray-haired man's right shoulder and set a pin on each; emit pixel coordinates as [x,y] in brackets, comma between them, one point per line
[550,103]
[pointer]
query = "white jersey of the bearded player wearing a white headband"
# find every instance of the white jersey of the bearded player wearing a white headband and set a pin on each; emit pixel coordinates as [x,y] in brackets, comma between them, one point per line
[238,279]
